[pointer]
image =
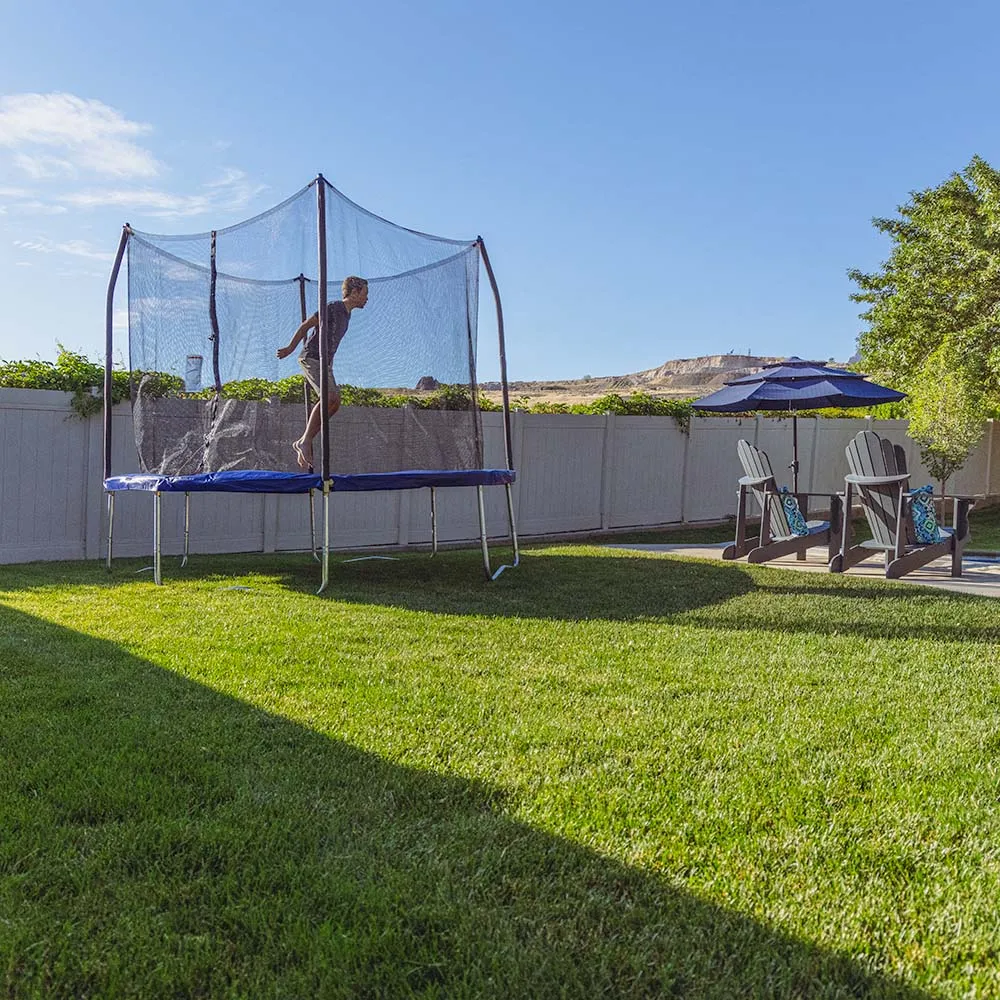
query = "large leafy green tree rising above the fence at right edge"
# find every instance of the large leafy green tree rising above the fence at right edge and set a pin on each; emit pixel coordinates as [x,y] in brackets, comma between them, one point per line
[939,291]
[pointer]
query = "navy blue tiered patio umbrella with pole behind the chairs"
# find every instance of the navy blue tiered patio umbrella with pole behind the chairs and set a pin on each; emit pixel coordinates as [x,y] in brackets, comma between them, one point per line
[796,385]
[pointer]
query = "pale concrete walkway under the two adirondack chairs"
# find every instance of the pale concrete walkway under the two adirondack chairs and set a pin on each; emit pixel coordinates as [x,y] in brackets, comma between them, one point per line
[980,574]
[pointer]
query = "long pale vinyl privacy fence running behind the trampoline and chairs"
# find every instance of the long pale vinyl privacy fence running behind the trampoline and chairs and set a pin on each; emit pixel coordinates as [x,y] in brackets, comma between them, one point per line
[575,473]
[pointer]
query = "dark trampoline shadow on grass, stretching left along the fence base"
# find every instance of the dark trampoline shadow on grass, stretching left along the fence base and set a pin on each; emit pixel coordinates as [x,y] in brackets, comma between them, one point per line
[565,587]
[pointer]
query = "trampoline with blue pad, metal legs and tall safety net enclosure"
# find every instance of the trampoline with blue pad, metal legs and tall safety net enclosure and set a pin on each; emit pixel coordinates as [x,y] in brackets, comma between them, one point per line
[233,295]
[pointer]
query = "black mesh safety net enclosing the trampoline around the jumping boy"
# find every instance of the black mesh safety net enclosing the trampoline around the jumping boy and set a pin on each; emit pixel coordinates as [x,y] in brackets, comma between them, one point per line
[227,402]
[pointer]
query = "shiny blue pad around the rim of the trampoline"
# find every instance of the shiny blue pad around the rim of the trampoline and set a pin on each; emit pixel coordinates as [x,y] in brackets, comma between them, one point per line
[263,481]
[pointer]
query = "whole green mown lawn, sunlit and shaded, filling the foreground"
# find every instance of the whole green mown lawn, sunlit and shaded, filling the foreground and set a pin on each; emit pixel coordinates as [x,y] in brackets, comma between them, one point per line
[608,774]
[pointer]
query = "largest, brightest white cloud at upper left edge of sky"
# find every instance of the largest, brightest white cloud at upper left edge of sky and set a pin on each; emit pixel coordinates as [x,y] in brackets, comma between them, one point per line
[56,133]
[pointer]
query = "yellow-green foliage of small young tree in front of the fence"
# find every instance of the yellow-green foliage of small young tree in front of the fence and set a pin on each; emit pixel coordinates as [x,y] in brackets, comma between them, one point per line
[946,415]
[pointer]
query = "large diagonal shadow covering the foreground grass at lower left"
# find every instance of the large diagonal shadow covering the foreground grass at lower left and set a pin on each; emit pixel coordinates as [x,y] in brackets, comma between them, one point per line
[162,839]
